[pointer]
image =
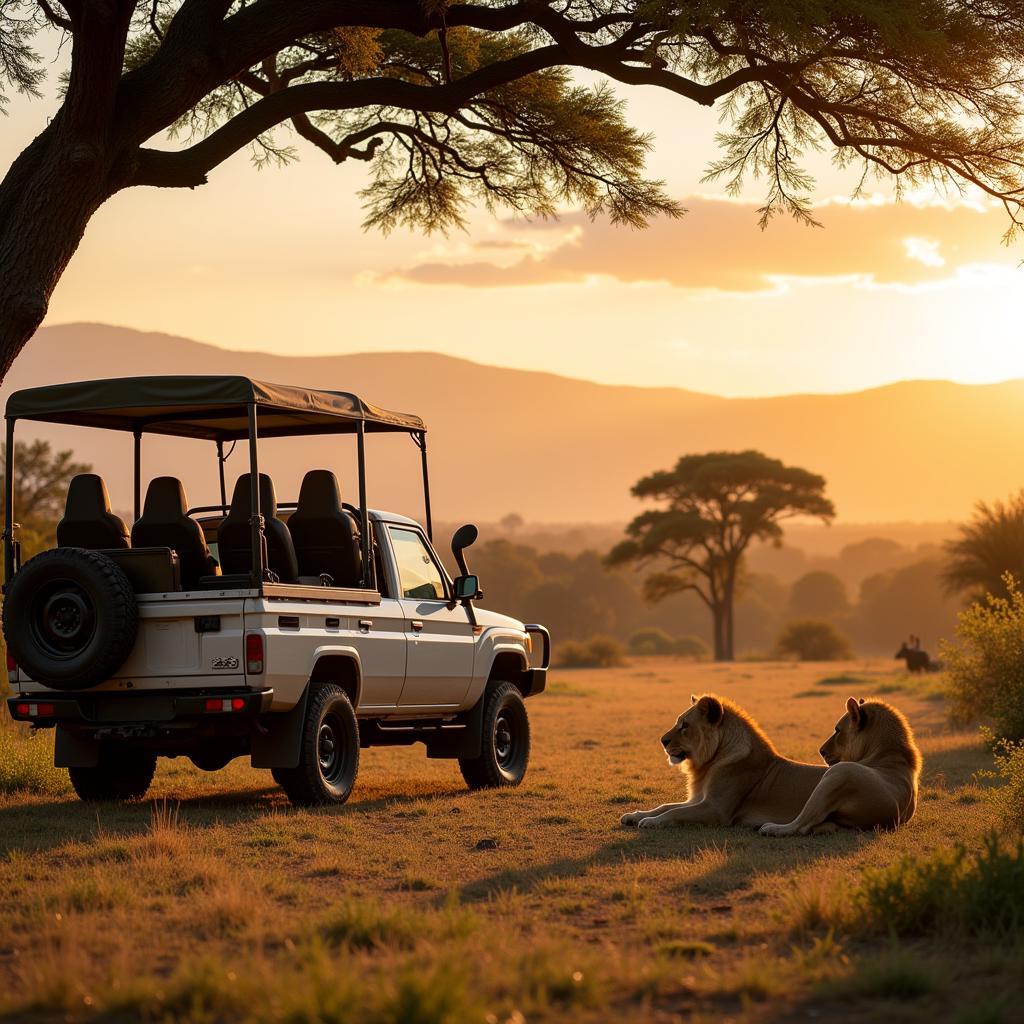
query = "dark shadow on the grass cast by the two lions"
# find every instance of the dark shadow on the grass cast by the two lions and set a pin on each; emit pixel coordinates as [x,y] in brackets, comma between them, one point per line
[738,855]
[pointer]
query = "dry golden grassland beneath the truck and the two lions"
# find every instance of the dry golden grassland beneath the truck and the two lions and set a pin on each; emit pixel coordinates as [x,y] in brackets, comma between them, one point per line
[216,902]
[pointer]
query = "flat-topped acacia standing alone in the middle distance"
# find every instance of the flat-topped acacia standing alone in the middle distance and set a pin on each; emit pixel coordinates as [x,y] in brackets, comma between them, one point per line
[715,505]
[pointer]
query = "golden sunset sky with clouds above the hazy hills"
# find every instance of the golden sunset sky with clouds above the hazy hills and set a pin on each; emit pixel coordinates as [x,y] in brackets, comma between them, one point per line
[276,261]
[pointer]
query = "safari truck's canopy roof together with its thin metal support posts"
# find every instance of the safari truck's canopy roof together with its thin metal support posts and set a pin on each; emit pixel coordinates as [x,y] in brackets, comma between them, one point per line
[301,413]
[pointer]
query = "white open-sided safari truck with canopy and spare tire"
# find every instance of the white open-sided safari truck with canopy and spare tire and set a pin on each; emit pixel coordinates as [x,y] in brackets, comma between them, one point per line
[224,631]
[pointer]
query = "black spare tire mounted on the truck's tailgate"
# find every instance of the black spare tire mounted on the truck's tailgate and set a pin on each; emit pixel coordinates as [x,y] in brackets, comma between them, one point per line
[70,618]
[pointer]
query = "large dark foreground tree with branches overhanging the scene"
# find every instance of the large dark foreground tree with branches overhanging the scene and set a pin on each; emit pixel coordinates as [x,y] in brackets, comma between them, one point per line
[456,102]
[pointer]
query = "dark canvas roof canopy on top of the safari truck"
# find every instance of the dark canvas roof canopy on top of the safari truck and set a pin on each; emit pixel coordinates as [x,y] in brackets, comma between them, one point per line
[204,407]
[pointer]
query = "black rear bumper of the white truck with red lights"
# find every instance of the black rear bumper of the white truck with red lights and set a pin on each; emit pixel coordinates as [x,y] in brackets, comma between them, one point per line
[105,710]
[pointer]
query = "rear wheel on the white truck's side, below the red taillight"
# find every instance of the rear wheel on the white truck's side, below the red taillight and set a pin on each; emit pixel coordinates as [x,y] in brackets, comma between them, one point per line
[329,753]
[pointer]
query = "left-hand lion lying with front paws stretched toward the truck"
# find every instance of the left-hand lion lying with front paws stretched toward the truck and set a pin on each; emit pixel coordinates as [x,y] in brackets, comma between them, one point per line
[737,777]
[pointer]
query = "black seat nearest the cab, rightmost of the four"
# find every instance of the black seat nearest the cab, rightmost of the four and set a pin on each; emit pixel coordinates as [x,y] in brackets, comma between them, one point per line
[326,537]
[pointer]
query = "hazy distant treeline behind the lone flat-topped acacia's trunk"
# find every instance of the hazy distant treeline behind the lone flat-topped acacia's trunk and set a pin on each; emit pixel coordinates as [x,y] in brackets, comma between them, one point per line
[578,598]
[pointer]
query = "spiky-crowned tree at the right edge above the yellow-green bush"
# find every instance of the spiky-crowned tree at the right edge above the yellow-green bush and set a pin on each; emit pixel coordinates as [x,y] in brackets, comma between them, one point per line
[991,545]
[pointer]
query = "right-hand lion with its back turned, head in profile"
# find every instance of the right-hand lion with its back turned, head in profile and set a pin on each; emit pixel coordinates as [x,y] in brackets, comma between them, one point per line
[872,782]
